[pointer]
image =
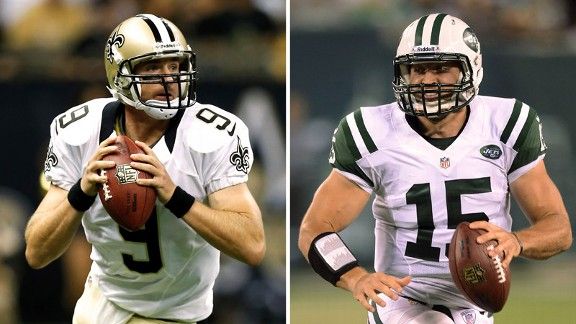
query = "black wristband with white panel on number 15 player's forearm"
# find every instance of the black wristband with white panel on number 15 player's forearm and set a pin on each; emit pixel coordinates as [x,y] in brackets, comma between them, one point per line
[330,257]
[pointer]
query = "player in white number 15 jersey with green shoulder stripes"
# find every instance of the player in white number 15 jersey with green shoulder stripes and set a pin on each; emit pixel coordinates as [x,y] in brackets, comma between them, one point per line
[441,154]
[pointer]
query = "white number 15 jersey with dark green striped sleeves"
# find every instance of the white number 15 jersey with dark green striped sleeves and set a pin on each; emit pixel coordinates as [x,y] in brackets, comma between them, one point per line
[423,192]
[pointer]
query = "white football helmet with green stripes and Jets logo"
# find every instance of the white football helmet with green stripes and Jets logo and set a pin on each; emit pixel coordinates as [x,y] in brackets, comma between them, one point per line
[437,38]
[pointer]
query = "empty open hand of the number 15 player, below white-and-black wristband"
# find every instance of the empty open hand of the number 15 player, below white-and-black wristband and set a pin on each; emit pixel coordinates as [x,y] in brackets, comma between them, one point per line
[366,286]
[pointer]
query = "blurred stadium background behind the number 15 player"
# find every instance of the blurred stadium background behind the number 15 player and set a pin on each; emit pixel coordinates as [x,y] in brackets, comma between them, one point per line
[341,58]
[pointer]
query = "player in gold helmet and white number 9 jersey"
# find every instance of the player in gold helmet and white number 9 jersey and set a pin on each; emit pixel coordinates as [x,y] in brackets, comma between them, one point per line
[199,156]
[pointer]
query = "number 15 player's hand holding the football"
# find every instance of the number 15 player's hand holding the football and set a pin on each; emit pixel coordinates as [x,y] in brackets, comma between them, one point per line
[507,242]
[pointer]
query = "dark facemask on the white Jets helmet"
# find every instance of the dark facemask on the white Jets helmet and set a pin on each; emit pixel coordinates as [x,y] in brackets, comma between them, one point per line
[448,97]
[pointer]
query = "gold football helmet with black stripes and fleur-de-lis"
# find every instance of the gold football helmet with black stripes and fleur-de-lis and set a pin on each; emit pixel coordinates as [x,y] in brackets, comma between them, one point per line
[142,38]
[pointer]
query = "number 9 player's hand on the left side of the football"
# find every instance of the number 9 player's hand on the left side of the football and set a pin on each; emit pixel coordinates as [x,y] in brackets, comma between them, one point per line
[92,178]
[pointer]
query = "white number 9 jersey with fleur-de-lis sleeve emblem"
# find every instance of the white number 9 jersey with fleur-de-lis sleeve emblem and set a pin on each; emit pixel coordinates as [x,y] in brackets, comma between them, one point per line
[165,270]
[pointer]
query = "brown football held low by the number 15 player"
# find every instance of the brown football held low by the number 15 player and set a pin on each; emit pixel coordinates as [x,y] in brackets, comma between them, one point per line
[479,277]
